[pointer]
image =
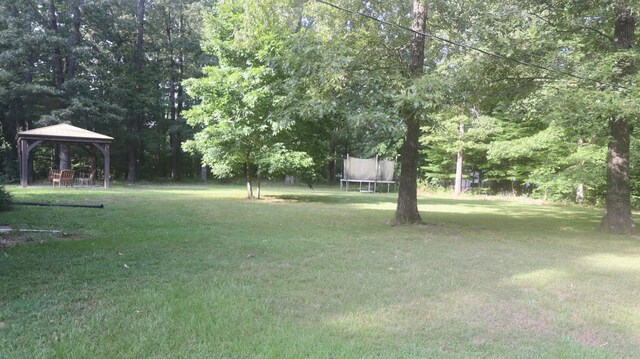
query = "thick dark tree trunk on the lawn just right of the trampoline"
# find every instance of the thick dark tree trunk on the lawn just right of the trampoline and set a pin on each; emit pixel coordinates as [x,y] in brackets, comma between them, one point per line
[407,209]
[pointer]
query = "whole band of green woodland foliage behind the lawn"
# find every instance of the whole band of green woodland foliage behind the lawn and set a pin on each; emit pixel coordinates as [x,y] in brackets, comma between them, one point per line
[271,88]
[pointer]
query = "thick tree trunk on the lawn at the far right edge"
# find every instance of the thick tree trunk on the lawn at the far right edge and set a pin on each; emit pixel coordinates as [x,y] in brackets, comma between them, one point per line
[617,216]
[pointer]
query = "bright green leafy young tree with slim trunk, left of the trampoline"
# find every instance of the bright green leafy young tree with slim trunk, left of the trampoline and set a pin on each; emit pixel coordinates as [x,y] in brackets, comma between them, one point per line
[245,128]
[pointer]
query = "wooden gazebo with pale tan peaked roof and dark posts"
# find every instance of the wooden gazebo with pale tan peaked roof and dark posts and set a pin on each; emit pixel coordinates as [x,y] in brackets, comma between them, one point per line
[28,140]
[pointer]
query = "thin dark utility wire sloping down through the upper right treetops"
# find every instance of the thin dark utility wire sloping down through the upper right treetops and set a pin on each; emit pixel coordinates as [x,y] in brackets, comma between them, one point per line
[469,47]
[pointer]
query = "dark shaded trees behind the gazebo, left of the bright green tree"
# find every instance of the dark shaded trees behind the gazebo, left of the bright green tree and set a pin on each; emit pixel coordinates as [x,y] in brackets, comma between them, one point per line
[114,67]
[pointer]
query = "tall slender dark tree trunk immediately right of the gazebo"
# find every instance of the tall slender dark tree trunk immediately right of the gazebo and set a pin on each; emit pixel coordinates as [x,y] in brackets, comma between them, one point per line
[136,128]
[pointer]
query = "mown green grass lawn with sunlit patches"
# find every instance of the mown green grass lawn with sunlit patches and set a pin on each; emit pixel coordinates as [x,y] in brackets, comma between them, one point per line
[199,272]
